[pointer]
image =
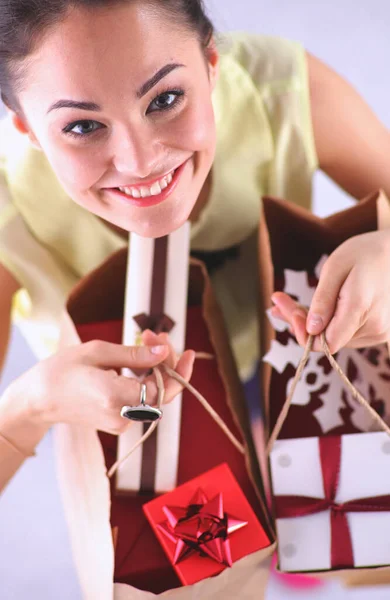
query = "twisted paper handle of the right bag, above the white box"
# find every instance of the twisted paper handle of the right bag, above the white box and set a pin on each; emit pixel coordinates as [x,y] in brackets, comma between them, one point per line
[356,395]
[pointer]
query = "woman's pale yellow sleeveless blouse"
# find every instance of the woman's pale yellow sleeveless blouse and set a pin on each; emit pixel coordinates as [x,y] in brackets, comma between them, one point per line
[265,146]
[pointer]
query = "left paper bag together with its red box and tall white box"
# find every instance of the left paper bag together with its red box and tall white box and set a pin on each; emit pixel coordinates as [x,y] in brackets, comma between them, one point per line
[184,514]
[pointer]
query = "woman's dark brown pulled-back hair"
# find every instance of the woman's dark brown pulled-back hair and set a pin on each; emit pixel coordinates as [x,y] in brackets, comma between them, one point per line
[24,22]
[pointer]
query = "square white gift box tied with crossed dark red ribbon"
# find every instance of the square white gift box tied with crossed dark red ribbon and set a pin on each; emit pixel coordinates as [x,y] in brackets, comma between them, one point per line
[305,542]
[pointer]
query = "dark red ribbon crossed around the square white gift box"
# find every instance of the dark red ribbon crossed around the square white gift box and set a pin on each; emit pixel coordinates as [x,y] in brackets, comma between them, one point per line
[300,506]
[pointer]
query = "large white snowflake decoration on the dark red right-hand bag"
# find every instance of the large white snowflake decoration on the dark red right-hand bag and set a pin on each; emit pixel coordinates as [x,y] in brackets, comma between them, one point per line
[368,369]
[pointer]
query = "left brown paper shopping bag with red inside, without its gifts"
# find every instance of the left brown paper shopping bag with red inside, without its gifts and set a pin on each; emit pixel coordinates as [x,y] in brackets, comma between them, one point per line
[126,564]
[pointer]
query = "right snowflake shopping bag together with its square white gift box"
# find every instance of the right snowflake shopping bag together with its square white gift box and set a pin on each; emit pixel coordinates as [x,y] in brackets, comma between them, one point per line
[330,465]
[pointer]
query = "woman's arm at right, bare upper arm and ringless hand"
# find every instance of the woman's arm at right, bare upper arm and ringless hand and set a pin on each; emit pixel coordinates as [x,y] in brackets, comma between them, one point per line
[353,148]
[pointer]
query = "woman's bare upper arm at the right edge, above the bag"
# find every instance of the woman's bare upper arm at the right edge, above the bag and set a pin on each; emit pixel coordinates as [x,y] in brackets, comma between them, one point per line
[353,146]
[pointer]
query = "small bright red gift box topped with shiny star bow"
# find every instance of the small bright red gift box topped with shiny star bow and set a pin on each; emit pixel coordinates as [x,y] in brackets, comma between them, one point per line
[205,525]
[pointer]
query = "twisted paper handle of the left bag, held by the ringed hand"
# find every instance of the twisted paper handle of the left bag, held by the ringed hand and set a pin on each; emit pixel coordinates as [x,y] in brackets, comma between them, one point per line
[160,400]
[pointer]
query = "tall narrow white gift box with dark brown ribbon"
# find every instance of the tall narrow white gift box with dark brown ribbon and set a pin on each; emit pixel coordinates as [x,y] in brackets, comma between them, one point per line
[141,285]
